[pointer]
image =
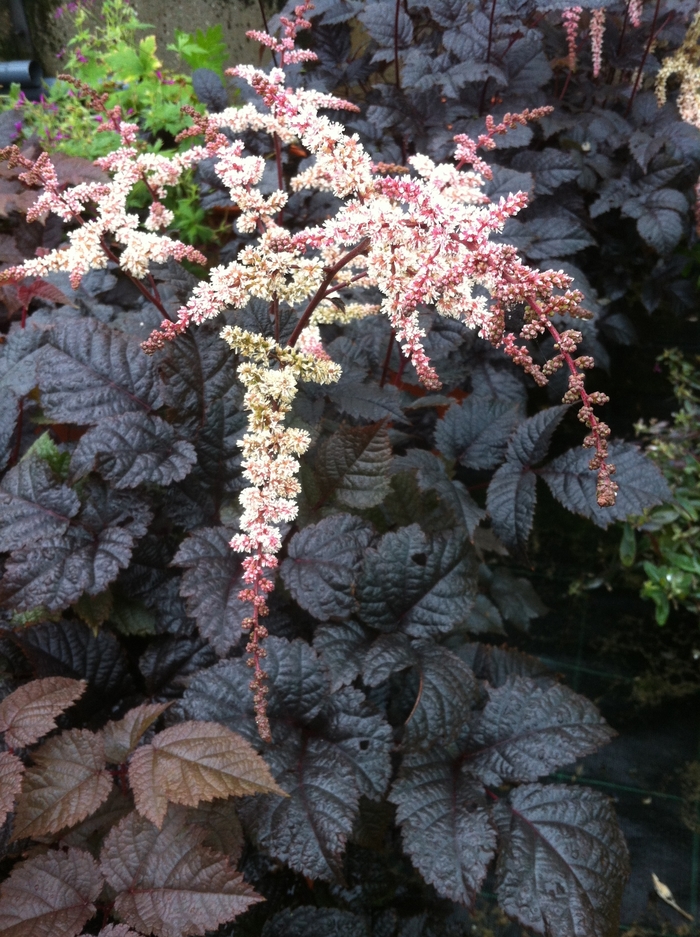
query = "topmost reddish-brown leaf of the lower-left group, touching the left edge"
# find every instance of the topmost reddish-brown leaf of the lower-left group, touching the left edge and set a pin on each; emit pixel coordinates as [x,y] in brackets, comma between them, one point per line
[31,711]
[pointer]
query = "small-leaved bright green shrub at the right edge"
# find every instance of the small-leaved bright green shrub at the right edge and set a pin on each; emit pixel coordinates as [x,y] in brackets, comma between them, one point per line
[668,540]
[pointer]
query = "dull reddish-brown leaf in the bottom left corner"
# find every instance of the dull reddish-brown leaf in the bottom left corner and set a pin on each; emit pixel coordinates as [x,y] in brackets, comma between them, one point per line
[50,895]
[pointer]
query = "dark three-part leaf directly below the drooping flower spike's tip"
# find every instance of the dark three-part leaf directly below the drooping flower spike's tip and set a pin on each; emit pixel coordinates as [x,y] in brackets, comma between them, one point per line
[327,750]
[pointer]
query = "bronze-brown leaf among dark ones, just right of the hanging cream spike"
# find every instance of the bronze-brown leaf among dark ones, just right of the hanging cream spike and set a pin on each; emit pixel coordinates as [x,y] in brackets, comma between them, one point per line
[353,466]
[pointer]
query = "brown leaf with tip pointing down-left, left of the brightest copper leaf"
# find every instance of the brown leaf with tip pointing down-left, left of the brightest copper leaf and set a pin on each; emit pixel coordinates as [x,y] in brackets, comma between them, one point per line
[68,783]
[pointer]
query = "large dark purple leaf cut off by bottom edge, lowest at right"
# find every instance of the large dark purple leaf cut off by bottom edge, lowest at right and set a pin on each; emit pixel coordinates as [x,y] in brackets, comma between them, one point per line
[563,860]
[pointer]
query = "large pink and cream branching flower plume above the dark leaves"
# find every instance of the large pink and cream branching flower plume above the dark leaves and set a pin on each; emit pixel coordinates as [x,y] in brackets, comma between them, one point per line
[420,239]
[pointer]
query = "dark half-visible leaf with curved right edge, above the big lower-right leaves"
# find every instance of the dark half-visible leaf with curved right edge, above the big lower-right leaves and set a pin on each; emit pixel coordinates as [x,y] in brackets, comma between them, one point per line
[447,693]
